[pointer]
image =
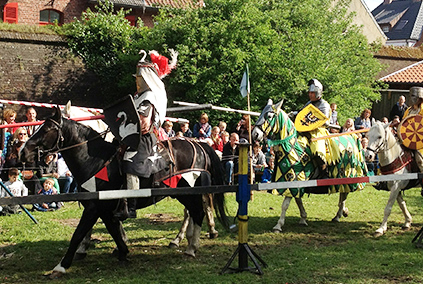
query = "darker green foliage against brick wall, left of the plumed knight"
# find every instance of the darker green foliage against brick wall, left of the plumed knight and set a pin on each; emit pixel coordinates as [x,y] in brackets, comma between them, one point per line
[105,40]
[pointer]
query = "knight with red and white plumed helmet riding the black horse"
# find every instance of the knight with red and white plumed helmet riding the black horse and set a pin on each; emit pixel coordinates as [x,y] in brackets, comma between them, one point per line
[140,163]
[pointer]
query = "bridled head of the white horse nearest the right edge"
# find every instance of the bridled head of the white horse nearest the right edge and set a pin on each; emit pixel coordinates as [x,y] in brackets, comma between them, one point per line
[378,136]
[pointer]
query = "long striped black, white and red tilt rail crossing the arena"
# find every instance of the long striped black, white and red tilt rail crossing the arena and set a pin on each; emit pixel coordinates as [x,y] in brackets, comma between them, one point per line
[147,192]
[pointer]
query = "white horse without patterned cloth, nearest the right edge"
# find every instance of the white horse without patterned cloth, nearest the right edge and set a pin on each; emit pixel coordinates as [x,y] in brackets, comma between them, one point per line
[393,158]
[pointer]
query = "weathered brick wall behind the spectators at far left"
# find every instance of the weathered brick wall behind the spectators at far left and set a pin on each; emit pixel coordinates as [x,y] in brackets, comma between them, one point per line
[40,68]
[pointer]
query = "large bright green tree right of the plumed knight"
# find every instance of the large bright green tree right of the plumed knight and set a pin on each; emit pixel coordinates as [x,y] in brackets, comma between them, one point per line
[285,43]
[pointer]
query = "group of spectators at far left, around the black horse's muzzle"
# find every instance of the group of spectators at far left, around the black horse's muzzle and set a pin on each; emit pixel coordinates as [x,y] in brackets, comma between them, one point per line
[42,177]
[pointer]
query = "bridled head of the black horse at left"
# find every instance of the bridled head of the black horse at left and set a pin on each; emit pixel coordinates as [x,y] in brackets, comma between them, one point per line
[45,140]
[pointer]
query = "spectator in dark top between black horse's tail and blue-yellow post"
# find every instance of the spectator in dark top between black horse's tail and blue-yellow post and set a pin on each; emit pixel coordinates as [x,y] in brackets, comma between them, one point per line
[230,157]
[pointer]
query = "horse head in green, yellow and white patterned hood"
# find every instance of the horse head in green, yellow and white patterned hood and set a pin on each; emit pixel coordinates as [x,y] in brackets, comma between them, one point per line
[271,123]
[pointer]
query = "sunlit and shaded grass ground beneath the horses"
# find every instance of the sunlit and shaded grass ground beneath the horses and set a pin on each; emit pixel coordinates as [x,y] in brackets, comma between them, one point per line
[323,252]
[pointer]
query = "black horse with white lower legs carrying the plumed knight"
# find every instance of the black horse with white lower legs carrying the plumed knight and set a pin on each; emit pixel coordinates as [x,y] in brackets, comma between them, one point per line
[86,153]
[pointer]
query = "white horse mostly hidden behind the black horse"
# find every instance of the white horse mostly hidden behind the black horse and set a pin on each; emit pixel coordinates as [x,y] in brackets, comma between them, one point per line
[100,126]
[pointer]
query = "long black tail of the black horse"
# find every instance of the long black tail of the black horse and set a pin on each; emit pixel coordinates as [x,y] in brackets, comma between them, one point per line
[217,173]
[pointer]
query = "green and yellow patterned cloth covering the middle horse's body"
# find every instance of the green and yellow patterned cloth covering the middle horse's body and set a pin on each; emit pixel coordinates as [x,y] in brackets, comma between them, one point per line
[294,158]
